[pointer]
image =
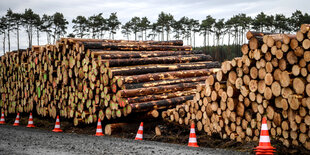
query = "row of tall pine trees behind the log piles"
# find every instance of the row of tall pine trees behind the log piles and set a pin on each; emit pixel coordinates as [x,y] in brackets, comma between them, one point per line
[166,27]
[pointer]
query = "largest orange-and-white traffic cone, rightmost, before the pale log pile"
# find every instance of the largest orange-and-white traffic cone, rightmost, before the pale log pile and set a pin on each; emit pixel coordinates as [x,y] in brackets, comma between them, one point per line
[264,140]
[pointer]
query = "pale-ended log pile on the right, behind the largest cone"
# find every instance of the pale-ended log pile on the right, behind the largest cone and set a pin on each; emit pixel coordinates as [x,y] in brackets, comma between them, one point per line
[270,80]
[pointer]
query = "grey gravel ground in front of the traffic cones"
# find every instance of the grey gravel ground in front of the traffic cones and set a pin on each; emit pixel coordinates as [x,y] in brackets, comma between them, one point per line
[22,140]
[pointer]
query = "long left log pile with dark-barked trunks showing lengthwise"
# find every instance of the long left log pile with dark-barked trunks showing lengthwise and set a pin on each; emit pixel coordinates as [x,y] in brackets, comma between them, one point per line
[83,79]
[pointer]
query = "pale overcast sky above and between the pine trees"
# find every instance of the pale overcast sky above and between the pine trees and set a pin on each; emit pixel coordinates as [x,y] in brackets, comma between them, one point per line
[126,9]
